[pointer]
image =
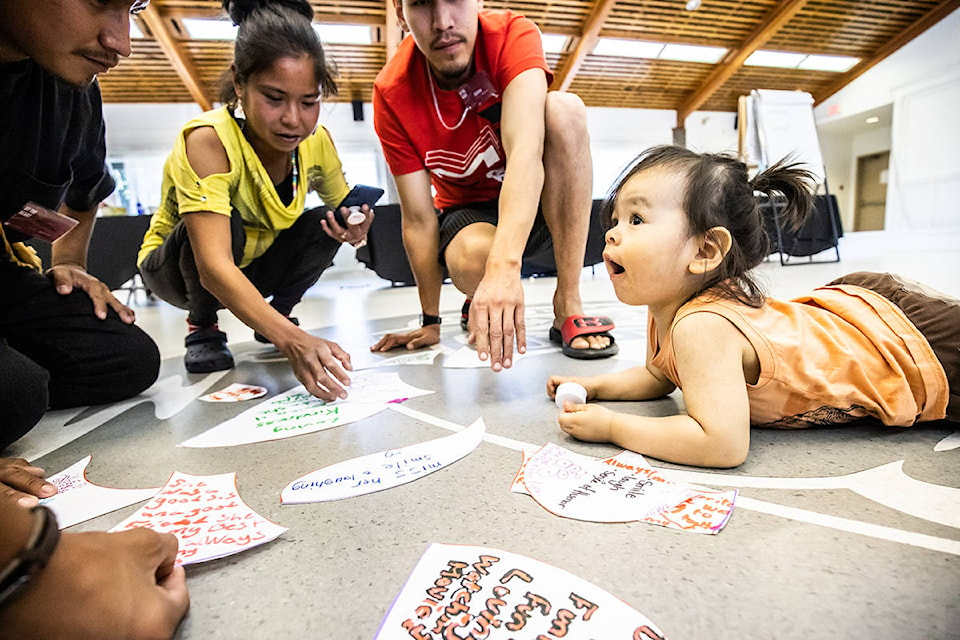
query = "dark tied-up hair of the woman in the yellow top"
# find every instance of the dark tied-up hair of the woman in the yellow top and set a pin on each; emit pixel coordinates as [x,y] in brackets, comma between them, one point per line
[271,30]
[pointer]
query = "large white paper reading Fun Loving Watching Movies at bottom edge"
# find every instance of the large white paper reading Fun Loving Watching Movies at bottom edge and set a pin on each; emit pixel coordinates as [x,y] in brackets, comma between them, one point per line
[459,591]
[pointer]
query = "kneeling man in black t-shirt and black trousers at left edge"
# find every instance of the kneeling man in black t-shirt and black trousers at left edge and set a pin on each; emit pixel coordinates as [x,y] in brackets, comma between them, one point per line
[65,340]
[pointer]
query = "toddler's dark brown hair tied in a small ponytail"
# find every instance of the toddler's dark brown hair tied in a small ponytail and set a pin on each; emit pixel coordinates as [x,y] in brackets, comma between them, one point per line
[719,193]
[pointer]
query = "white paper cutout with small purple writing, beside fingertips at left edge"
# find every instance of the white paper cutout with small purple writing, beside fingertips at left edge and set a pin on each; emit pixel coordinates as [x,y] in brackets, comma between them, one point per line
[78,500]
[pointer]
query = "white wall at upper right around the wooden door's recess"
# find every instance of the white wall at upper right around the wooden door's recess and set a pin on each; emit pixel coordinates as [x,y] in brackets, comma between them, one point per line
[922,83]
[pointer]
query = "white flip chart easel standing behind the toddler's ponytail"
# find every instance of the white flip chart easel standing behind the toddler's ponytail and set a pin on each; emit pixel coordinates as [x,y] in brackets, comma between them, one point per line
[779,124]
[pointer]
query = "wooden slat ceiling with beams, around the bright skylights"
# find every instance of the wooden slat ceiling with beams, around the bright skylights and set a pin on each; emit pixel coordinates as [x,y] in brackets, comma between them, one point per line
[166,66]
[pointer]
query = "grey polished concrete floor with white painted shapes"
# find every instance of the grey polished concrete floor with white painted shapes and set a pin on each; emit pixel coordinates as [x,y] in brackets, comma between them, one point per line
[808,551]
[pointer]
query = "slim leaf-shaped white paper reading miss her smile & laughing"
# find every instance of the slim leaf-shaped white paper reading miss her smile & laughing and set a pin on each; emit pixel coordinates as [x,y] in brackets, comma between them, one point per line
[383,470]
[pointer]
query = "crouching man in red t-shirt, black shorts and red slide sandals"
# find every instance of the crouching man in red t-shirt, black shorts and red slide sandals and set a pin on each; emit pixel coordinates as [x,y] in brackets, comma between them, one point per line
[463,108]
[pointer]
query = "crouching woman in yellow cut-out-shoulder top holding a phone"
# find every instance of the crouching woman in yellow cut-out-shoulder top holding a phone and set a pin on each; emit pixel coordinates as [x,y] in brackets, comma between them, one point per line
[231,229]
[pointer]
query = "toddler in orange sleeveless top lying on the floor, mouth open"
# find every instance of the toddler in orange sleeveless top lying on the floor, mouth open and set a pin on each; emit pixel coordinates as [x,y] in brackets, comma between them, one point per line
[684,231]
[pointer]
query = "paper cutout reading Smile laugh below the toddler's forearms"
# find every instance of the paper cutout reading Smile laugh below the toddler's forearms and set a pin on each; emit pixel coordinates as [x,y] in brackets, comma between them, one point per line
[622,488]
